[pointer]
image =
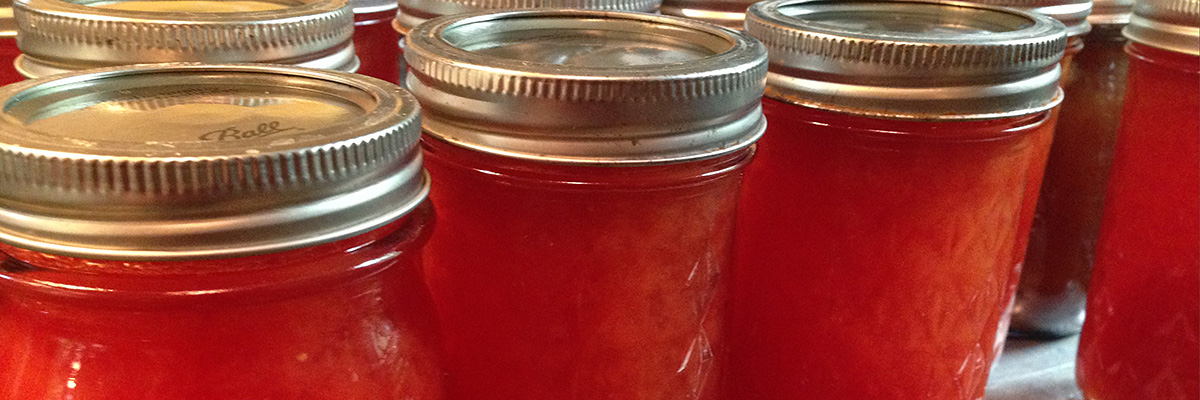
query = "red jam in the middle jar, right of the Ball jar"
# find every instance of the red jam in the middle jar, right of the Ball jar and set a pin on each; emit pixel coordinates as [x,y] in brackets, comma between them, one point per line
[595,279]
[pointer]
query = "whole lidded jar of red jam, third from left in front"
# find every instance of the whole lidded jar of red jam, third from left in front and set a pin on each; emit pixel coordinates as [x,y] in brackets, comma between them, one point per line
[878,223]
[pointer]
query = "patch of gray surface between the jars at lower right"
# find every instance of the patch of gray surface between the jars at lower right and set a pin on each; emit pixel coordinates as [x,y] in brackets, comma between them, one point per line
[1036,371]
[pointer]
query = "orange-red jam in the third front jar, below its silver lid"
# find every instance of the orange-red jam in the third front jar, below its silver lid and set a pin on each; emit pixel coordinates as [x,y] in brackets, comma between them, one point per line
[859,298]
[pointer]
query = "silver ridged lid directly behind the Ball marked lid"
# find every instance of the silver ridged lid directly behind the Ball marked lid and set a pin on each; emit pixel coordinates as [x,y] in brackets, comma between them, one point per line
[62,37]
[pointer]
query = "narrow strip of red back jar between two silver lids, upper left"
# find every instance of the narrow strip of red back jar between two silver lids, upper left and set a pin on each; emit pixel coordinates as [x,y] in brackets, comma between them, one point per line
[375,40]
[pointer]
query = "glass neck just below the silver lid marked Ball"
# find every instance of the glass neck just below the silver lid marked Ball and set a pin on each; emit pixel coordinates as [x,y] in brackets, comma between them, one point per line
[166,284]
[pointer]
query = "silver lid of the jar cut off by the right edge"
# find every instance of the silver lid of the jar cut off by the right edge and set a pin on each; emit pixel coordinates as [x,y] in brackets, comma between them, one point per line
[1167,25]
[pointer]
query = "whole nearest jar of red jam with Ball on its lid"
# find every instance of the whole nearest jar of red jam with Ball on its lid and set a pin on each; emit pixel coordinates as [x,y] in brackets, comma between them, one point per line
[214,232]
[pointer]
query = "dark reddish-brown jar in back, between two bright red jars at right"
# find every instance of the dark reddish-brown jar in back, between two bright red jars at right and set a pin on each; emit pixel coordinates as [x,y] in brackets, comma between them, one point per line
[1061,249]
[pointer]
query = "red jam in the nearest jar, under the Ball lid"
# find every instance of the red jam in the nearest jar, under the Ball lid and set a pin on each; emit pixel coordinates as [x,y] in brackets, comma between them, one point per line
[346,320]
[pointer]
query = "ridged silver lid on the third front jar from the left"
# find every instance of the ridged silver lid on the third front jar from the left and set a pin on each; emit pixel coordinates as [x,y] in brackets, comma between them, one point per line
[910,59]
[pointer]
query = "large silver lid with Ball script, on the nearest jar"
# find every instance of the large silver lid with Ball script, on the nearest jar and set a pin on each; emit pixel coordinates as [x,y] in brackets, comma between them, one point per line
[203,162]
